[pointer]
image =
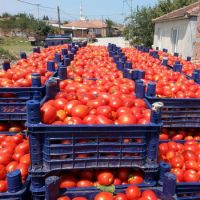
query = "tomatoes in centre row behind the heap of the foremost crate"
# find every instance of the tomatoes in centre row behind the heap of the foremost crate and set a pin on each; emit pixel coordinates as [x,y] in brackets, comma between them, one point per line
[93,62]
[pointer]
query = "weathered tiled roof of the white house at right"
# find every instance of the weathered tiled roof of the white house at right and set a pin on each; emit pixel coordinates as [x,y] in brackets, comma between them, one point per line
[187,11]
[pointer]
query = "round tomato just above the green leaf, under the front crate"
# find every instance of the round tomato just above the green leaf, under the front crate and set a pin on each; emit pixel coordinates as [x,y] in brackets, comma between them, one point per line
[105,178]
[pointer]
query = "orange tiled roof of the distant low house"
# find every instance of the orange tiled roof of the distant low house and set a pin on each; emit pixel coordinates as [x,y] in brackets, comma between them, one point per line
[87,24]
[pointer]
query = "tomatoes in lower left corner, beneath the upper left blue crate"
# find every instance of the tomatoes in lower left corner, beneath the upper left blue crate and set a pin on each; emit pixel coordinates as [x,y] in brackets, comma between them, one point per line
[14,152]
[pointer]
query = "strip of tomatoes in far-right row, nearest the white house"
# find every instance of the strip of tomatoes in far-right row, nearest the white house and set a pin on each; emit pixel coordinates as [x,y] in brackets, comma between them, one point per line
[187,66]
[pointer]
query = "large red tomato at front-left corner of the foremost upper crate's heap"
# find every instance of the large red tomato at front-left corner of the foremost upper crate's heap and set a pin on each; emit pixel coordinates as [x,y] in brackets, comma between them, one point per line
[48,114]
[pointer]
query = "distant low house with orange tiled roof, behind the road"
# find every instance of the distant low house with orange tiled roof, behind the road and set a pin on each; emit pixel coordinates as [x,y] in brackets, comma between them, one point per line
[84,27]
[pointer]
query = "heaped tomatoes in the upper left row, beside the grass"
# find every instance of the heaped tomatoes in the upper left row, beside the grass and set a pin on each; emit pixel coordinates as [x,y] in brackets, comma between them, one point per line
[19,75]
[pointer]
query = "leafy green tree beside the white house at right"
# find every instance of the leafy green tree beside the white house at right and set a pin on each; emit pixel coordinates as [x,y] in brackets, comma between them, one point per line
[139,28]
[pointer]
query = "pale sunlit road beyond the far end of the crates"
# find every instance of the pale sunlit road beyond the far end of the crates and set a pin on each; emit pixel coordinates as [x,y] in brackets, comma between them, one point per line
[119,41]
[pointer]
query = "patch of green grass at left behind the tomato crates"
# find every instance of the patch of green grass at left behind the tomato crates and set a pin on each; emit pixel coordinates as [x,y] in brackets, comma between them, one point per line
[12,46]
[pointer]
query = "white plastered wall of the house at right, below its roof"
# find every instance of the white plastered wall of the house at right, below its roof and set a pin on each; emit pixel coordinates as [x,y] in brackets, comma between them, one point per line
[186,36]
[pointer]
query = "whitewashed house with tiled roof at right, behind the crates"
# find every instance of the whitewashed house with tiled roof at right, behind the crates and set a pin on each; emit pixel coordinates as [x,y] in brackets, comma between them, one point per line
[179,31]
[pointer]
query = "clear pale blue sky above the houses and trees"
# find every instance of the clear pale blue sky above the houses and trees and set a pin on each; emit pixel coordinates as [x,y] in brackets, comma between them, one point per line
[70,9]
